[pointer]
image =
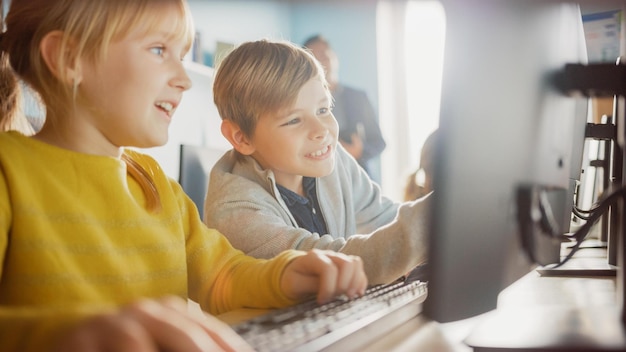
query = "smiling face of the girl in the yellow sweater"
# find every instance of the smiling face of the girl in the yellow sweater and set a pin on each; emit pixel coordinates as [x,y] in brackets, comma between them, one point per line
[129,98]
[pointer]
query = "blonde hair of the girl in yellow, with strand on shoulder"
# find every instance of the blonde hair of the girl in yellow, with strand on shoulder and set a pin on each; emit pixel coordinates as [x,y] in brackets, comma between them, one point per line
[88,26]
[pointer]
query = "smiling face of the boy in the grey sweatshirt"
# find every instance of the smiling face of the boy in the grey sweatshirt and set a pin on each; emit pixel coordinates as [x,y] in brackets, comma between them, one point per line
[299,141]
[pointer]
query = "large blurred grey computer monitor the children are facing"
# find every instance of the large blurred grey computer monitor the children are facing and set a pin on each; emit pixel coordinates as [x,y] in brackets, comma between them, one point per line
[503,125]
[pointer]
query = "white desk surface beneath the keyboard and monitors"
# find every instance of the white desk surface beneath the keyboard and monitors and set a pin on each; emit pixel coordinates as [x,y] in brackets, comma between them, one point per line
[583,309]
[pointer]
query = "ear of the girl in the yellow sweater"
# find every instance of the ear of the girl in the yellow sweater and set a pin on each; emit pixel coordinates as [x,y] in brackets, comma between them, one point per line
[56,57]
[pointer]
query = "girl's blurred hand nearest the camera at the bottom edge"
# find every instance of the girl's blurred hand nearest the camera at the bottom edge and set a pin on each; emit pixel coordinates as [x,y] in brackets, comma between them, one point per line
[153,325]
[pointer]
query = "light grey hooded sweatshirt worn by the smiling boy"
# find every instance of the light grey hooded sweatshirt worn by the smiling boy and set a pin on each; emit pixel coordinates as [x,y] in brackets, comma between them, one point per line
[244,204]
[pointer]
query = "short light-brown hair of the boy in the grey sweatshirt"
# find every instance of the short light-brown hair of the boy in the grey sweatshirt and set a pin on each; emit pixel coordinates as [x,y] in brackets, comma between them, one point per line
[262,77]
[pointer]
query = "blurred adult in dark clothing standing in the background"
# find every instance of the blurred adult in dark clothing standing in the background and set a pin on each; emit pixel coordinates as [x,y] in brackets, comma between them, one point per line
[359,131]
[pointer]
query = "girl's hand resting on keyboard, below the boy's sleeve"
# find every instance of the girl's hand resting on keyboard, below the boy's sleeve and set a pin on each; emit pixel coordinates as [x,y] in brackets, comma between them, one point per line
[326,273]
